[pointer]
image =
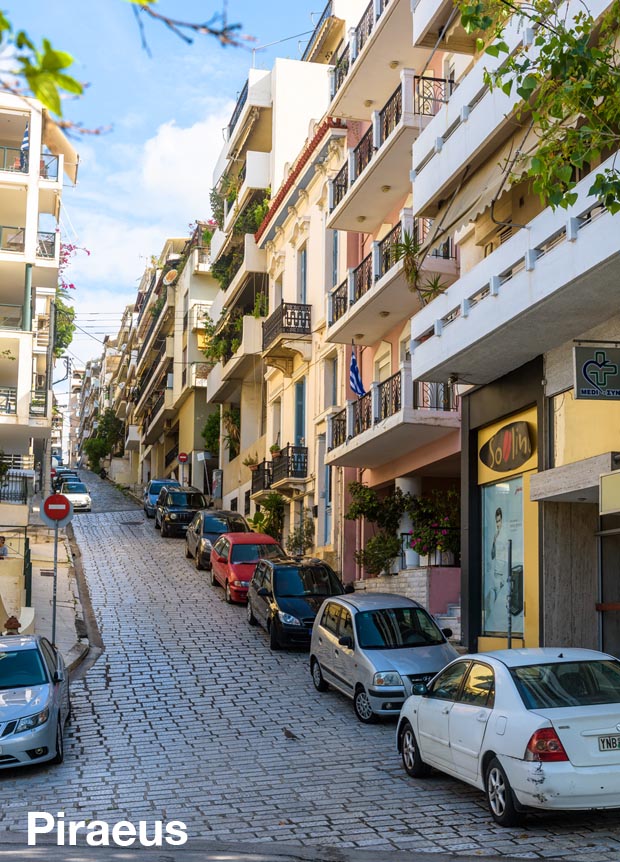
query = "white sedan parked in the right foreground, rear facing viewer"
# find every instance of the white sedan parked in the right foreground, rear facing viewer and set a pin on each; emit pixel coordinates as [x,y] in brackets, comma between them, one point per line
[534,728]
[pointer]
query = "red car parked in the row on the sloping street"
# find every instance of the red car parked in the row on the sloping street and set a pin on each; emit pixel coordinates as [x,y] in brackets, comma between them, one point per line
[234,558]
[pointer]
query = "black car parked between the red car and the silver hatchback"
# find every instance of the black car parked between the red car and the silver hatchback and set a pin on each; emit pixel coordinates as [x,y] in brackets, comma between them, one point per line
[285,595]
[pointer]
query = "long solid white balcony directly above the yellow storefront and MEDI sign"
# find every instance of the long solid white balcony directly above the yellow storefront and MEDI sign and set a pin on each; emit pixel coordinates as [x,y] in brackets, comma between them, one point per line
[542,287]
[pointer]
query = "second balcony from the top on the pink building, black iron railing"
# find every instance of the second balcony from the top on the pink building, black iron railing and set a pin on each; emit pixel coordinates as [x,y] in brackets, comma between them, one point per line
[377,177]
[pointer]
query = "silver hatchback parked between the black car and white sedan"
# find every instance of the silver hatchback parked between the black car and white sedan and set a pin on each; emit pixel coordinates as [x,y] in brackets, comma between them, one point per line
[374,647]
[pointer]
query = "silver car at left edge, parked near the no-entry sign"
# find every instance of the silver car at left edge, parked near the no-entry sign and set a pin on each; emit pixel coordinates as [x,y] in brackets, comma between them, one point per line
[35,702]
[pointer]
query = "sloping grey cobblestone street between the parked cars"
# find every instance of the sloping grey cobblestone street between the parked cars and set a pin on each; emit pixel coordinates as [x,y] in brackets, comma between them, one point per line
[183,717]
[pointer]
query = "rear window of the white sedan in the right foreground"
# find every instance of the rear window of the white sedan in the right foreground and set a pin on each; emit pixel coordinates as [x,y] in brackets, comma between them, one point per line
[584,683]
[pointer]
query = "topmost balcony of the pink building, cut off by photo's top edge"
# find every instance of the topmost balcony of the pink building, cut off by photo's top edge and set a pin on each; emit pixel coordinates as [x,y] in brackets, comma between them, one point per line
[364,71]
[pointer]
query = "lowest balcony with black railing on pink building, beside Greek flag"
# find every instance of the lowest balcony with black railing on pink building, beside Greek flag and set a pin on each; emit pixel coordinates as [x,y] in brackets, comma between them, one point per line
[393,419]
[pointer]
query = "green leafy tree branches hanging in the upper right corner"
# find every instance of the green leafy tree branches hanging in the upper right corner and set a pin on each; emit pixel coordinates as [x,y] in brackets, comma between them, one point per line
[567,77]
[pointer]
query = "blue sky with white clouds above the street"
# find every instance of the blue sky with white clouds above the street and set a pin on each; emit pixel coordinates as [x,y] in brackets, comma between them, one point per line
[149,177]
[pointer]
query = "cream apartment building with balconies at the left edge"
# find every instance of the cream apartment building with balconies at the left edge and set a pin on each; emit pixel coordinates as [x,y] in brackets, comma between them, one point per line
[34,158]
